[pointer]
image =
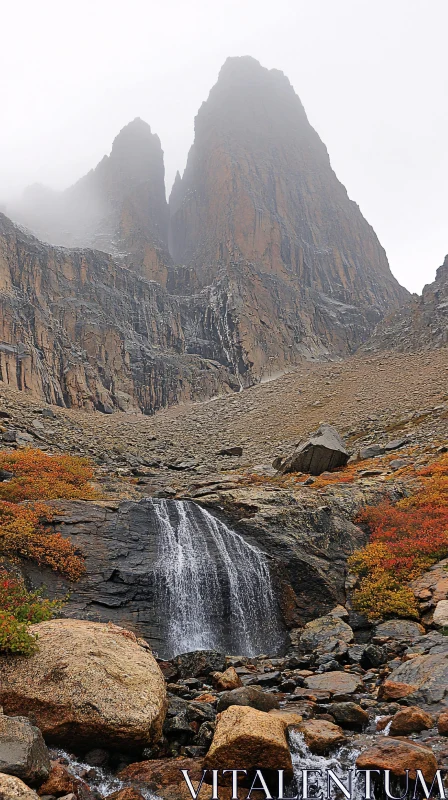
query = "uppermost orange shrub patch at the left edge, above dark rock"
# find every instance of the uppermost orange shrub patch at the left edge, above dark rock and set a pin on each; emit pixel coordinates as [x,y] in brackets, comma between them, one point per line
[38,476]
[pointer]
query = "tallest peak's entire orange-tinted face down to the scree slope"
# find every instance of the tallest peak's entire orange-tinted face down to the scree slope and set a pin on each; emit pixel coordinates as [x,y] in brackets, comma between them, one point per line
[260,205]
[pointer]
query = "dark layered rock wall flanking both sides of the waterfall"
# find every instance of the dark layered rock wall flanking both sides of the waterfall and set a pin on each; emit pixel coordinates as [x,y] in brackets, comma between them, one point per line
[307,551]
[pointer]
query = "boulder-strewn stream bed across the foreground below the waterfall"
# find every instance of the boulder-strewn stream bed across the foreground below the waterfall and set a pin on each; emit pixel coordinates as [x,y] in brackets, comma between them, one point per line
[134,723]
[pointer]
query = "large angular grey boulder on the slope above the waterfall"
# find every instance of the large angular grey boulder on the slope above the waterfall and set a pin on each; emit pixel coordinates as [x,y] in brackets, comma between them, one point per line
[324,450]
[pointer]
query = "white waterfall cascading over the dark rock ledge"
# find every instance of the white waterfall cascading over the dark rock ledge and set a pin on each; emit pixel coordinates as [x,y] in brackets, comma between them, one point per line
[212,587]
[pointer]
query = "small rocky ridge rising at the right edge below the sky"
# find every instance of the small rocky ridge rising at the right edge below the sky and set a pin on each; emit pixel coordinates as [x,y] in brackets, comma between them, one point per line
[420,324]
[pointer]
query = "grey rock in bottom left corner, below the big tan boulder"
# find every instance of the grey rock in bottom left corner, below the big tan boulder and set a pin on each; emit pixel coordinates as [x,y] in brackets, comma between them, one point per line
[23,752]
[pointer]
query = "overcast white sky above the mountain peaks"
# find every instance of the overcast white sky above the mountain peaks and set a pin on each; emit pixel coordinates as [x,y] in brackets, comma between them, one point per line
[372,75]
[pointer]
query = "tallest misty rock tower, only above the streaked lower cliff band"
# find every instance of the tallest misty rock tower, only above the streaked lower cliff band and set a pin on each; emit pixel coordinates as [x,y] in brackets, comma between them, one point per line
[258,186]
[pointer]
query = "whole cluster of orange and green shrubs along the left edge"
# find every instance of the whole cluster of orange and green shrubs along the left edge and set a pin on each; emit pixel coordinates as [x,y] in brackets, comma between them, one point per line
[24,534]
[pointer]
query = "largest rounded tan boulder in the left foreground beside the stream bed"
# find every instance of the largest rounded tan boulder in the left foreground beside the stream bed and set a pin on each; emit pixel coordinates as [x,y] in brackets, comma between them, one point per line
[88,682]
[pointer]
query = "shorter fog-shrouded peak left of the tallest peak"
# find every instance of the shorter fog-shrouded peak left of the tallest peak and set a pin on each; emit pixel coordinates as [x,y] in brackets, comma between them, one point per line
[119,207]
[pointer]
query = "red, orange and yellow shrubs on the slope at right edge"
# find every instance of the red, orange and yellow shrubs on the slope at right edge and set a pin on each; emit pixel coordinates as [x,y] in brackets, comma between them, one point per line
[406,539]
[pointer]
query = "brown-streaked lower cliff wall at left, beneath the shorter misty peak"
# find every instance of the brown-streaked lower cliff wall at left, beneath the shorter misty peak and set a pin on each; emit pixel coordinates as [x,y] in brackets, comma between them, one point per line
[80,330]
